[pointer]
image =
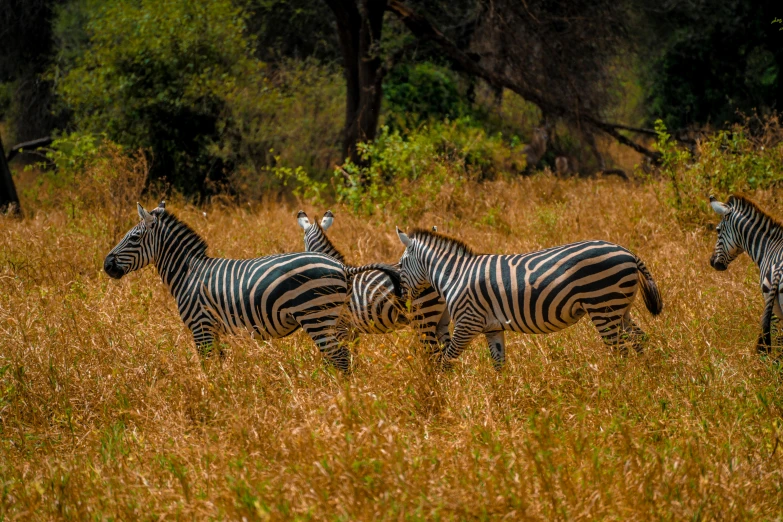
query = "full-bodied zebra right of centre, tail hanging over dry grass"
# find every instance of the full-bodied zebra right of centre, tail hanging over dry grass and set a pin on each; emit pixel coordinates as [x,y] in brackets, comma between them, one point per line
[539,292]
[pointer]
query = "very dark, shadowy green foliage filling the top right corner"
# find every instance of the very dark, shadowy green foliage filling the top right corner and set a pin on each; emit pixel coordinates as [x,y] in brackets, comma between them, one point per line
[709,60]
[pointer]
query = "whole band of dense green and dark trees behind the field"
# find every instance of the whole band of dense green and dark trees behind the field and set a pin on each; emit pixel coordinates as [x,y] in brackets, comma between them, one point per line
[224,93]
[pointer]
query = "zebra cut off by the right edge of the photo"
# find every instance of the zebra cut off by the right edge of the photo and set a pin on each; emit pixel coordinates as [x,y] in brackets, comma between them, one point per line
[745,227]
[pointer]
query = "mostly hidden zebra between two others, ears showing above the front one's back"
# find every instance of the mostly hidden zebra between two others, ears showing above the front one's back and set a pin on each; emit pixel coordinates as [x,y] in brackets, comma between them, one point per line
[374,309]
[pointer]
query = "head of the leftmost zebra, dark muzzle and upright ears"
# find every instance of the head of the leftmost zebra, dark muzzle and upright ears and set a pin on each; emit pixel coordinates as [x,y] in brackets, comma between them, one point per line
[136,249]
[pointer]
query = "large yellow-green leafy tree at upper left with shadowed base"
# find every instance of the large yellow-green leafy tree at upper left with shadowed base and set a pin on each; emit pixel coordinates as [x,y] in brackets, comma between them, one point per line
[156,75]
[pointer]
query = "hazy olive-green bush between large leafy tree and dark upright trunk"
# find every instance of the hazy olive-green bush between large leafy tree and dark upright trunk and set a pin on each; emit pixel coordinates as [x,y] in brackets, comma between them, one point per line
[291,119]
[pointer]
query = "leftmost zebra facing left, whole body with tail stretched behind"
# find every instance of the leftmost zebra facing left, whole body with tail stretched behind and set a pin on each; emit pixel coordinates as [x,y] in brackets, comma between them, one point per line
[267,297]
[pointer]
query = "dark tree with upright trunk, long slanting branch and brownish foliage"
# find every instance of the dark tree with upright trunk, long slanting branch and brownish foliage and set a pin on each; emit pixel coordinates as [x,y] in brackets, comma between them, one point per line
[555,54]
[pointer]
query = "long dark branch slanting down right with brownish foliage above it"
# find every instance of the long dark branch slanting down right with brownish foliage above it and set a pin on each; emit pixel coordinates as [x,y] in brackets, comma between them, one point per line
[574,95]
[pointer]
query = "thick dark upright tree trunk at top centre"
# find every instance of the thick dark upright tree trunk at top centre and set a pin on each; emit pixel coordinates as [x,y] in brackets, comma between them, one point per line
[359,28]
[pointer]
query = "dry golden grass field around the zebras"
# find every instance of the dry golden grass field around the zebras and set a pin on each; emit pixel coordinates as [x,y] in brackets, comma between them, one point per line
[106,412]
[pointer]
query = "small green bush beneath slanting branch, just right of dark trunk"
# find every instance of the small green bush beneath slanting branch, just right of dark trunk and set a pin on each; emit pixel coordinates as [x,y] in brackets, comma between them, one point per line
[421,92]
